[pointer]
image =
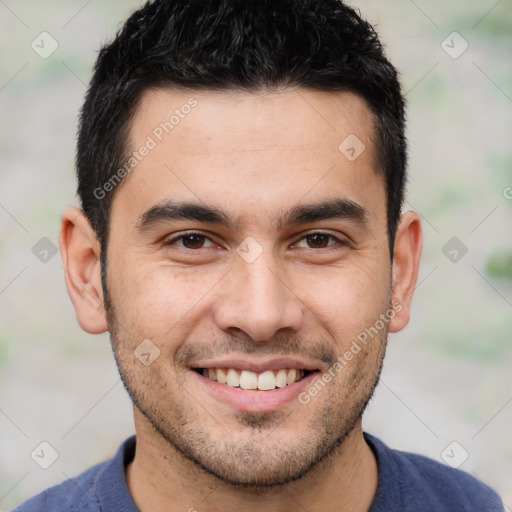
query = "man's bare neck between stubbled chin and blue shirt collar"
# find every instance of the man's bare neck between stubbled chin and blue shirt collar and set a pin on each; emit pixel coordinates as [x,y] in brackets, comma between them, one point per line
[161,479]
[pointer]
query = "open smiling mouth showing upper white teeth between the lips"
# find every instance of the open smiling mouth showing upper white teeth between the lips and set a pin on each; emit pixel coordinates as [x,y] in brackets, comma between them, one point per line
[246,379]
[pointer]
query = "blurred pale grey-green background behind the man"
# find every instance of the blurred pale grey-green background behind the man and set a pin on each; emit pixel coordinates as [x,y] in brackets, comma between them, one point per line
[447,376]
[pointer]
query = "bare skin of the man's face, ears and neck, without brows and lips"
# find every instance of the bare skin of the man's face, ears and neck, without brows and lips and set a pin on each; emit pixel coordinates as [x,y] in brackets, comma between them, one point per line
[254,156]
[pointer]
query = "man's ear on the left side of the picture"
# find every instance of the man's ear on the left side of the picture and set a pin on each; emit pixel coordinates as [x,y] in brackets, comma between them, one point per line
[80,252]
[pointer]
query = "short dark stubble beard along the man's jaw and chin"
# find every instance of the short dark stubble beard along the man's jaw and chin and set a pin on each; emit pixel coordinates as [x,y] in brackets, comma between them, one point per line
[260,461]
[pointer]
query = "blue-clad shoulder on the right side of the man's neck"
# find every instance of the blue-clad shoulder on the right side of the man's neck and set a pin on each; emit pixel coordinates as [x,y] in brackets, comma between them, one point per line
[409,481]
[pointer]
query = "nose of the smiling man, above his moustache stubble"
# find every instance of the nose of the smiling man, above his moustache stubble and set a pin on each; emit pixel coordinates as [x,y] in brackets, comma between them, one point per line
[257,300]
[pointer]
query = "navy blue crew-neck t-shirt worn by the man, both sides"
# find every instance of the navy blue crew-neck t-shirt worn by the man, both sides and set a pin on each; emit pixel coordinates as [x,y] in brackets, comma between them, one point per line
[407,483]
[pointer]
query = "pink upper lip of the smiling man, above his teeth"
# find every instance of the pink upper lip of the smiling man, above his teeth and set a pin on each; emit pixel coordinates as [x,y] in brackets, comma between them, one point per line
[257,365]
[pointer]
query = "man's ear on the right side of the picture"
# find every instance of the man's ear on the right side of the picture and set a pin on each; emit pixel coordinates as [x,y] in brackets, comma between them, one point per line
[406,260]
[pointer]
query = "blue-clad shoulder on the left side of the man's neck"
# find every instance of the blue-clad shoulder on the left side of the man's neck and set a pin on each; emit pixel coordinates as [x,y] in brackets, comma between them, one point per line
[89,491]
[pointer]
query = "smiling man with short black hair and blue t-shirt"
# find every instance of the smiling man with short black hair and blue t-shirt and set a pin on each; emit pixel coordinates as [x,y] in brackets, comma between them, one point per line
[241,169]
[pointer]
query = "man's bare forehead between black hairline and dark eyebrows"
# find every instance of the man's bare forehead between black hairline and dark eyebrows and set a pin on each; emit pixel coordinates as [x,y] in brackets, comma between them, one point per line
[252,150]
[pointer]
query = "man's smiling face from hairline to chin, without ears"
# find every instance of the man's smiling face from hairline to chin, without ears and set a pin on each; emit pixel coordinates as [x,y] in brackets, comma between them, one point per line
[260,294]
